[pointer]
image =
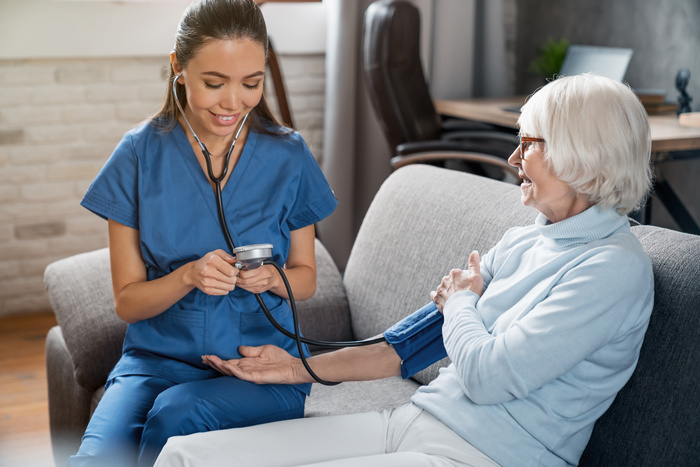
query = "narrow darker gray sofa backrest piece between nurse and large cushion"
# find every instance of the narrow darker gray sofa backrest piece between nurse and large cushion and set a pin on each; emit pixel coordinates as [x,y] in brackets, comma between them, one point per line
[326,315]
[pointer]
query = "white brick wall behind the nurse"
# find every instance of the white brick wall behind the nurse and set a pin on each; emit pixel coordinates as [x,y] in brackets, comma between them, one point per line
[59,122]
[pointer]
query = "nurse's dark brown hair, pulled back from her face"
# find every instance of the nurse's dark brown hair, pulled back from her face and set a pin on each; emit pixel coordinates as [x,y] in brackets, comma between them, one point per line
[203,21]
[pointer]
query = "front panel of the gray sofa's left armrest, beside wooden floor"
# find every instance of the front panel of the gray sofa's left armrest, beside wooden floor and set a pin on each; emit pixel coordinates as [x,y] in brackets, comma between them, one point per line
[69,403]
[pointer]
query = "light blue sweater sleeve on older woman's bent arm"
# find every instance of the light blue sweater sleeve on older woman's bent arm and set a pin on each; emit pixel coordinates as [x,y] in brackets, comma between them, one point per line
[600,300]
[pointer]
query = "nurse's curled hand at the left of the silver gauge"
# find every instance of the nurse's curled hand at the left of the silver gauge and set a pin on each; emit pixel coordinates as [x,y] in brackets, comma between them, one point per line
[214,273]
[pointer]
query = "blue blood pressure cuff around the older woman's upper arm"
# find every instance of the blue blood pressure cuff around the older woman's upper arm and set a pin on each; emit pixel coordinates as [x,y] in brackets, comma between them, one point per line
[418,339]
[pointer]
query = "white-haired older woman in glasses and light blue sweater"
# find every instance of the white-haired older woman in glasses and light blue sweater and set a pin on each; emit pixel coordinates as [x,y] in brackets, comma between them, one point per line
[542,332]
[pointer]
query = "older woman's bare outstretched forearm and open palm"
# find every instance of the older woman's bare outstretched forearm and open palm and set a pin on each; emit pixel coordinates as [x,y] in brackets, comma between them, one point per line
[271,365]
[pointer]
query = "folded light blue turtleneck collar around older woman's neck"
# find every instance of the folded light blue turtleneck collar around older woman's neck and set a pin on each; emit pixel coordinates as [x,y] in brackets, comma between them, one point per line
[592,224]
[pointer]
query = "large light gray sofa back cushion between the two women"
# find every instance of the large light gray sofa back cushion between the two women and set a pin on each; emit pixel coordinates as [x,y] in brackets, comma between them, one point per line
[420,216]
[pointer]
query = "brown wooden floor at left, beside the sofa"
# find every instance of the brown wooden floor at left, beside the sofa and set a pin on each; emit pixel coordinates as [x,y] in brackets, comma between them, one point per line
[24,414]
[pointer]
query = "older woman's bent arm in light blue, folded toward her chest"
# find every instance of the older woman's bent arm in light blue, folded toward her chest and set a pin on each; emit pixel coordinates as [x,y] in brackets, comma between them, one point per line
[592,306]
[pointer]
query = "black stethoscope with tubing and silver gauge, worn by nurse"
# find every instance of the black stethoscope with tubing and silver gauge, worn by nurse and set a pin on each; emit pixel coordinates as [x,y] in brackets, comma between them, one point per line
[254,256]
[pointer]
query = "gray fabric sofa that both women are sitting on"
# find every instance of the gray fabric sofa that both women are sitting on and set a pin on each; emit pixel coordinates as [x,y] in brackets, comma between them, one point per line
[423,222]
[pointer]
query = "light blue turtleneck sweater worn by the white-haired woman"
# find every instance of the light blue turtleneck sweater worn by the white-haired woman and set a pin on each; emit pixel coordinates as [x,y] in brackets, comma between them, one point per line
[556,334]
